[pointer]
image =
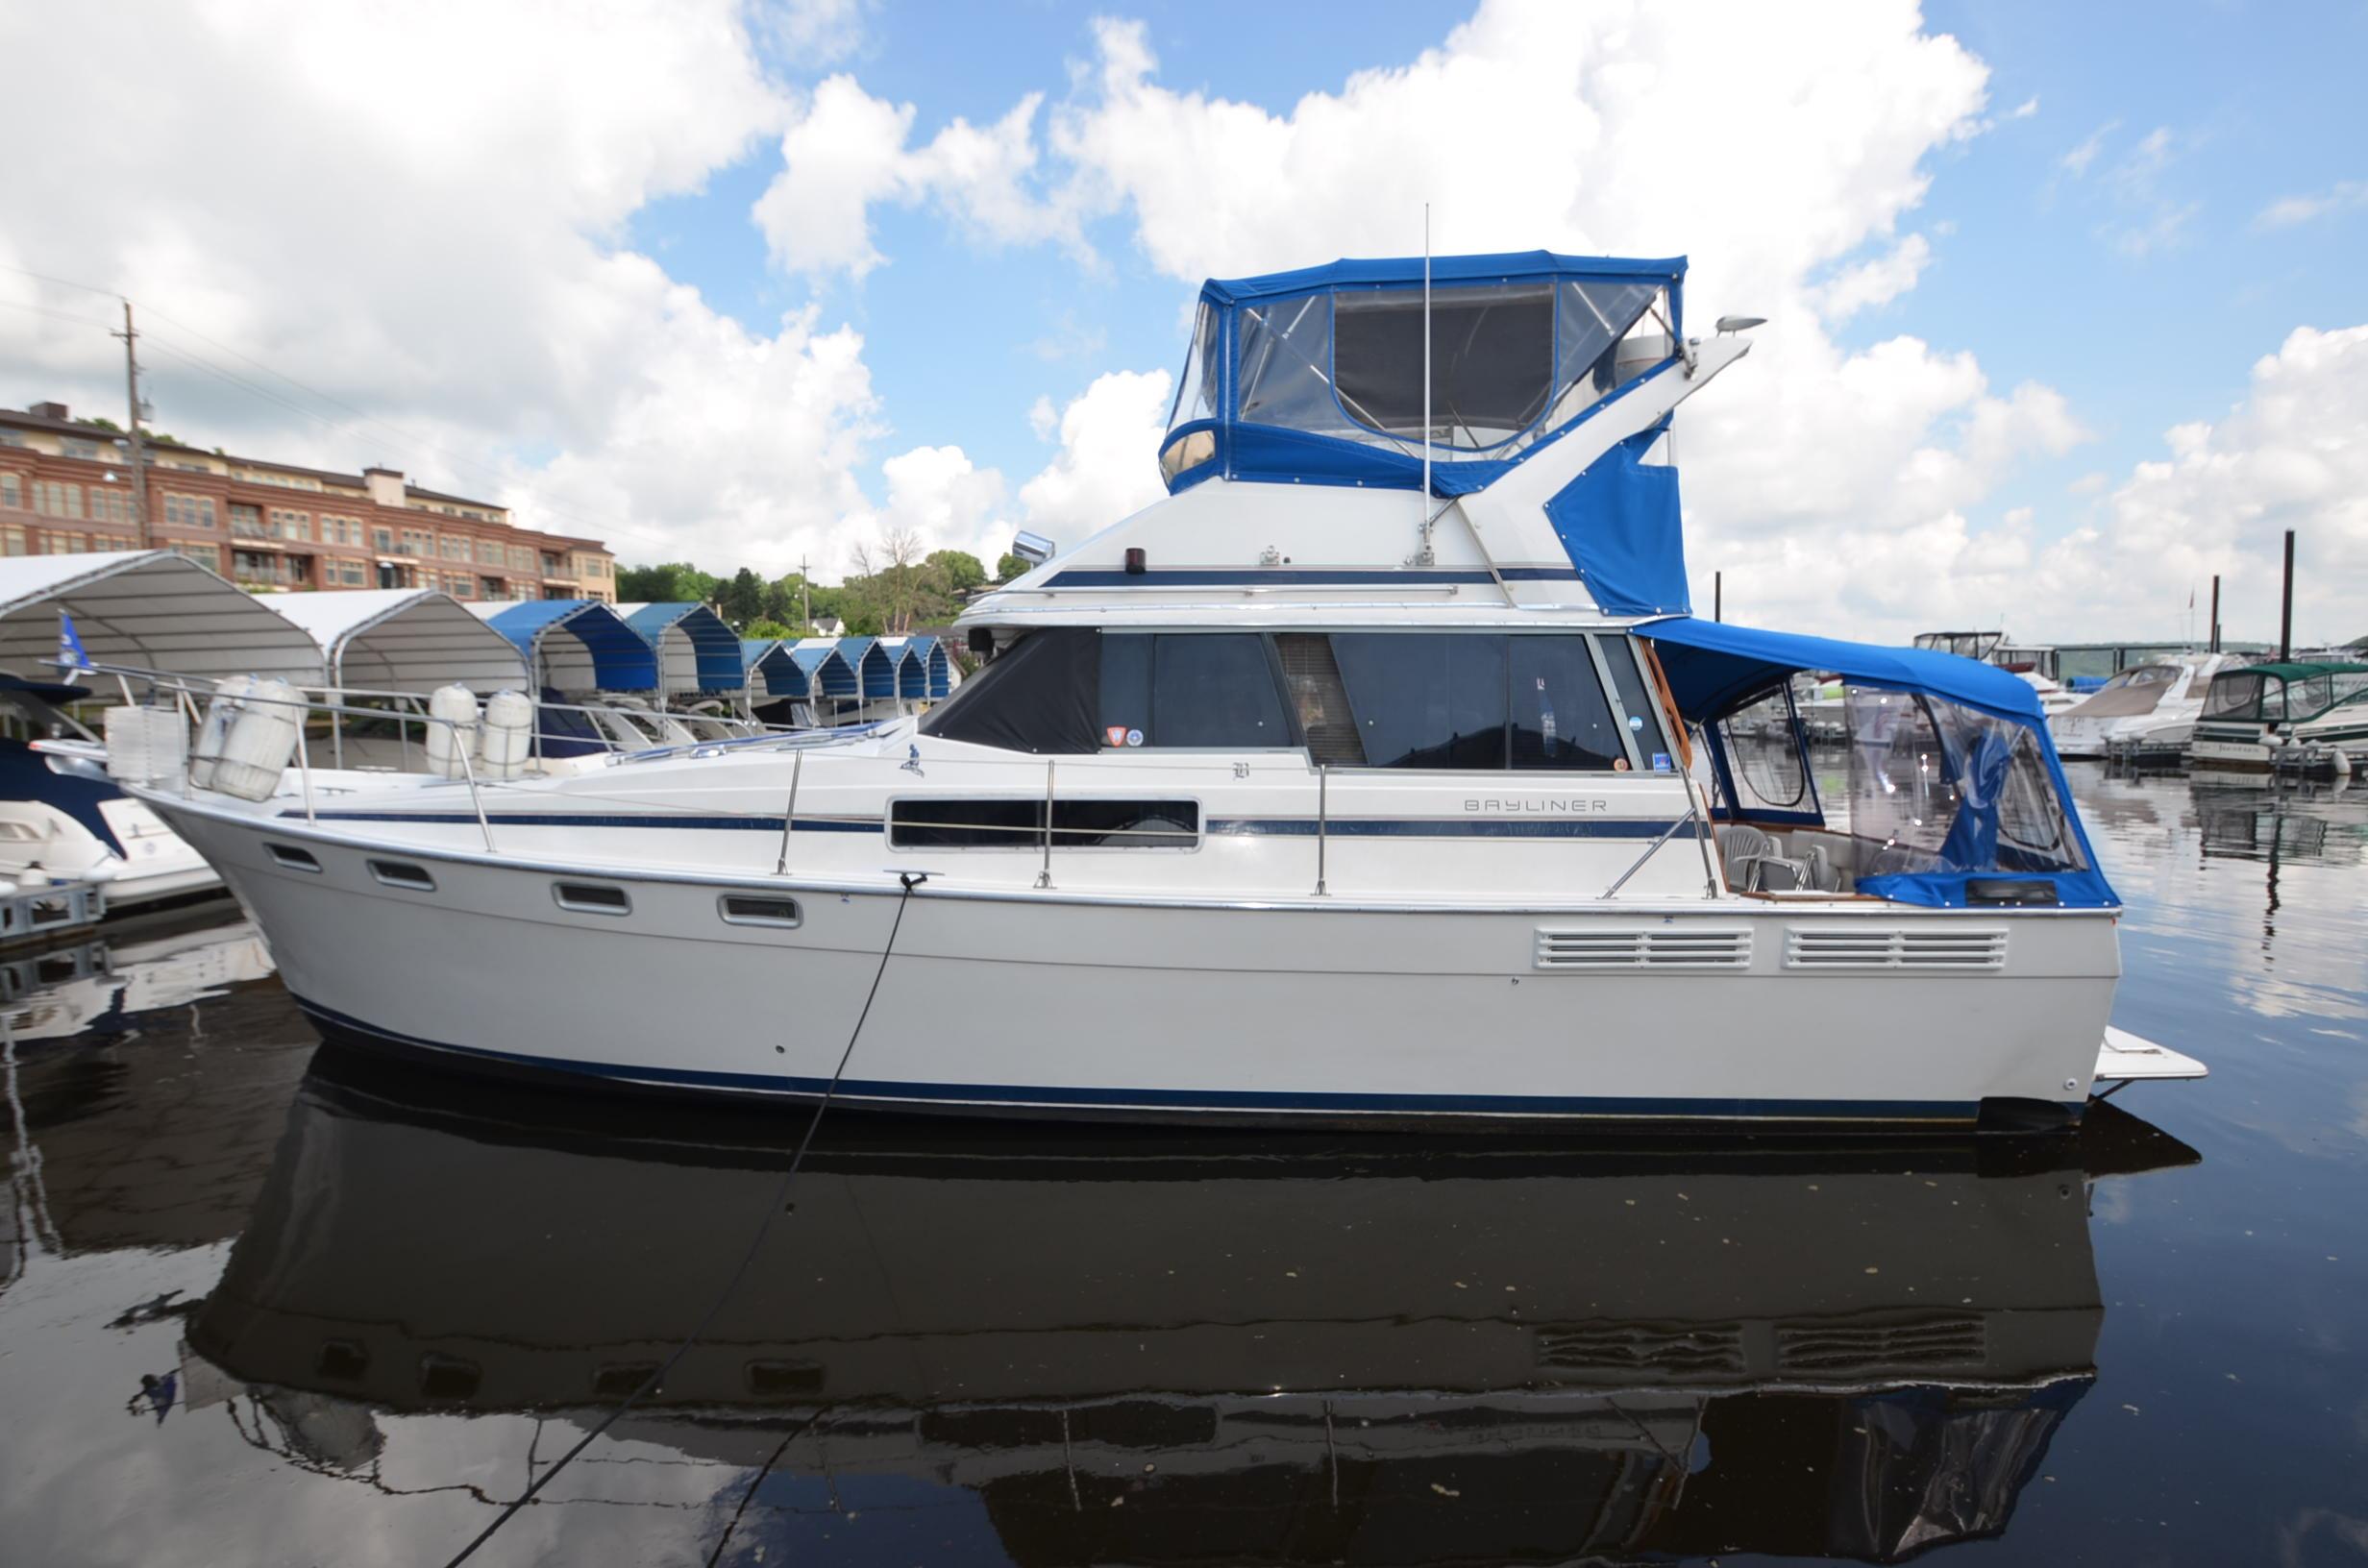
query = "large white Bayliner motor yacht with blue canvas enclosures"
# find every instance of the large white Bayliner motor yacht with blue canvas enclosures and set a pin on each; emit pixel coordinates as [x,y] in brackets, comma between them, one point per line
[1351,783]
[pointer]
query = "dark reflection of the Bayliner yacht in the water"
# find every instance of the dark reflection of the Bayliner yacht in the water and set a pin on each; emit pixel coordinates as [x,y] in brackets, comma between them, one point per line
[1188,1347]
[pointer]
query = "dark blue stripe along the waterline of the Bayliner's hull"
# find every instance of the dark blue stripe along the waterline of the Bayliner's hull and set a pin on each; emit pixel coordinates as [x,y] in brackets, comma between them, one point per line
[1019,1098]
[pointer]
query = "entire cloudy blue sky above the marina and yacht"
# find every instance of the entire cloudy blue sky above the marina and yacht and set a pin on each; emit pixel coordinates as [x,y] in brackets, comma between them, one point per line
[693,281]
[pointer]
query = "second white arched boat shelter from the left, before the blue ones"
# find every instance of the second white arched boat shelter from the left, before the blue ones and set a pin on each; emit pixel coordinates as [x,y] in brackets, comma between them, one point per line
[406,641]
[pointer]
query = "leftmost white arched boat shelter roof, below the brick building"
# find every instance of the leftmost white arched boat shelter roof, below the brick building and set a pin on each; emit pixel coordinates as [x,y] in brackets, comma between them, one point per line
[150,610]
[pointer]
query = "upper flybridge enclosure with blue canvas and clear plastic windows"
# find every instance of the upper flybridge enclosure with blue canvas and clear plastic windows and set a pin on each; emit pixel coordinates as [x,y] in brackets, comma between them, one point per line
[1318,375]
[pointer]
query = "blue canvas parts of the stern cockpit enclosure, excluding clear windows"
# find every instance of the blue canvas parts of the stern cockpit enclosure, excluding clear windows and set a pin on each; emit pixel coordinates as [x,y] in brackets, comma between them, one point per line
[1718,669]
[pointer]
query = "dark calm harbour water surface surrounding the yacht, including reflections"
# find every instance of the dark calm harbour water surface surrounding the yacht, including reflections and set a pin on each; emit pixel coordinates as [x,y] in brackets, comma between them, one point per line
[262,1306]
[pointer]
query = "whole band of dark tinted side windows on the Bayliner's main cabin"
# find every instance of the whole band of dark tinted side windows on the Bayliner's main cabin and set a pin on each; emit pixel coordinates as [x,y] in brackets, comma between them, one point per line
[1557,702]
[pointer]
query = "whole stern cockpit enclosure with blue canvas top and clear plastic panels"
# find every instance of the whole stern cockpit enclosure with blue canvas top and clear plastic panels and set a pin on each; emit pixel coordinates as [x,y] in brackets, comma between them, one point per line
[1948,790]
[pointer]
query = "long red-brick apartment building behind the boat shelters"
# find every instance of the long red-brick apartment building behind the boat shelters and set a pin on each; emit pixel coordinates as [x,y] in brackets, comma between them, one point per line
[65,487]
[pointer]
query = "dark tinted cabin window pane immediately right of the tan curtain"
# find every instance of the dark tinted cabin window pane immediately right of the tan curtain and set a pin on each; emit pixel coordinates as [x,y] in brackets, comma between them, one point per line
[1424,700]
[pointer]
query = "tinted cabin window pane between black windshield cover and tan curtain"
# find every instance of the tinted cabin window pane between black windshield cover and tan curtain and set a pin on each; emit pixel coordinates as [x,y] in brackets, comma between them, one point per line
[1190,690]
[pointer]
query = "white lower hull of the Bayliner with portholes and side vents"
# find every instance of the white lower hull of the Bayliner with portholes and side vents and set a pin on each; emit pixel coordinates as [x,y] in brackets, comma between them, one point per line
[1304,1010]
